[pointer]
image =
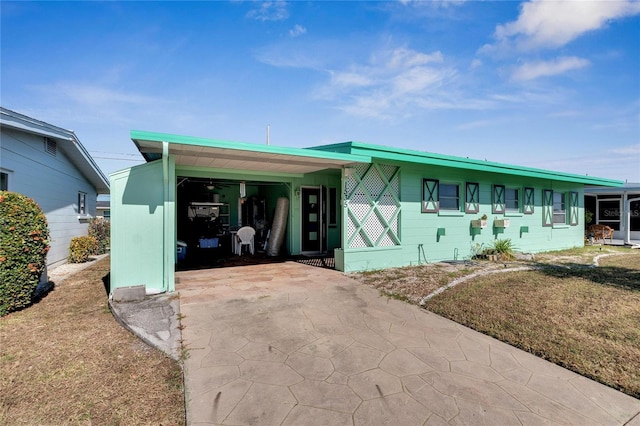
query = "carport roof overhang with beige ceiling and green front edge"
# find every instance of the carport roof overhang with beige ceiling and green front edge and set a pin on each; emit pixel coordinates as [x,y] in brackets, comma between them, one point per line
[197,152]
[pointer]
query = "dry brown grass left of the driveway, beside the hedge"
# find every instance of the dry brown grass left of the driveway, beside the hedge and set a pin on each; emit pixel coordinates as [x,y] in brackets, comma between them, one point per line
[66,360]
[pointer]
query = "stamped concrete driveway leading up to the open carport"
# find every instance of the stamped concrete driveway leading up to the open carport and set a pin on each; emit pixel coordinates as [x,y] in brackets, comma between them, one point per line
[290,344]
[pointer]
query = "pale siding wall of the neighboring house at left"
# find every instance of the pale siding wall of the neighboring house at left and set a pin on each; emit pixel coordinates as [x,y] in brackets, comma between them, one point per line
[53,182]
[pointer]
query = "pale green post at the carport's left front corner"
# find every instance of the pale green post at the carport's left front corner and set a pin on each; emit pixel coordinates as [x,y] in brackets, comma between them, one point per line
[168,182]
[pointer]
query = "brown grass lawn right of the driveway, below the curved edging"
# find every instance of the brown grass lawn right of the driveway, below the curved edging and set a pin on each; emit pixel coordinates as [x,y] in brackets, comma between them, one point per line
[584,319]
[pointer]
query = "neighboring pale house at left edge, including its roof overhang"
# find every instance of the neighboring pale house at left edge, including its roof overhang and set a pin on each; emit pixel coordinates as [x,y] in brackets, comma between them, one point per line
[50,165]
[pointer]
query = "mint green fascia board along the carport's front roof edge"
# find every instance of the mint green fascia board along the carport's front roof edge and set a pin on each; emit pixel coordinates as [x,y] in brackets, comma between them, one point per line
[137,135]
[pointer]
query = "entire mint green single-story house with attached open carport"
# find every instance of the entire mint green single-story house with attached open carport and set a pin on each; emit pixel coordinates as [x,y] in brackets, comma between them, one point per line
[372,206]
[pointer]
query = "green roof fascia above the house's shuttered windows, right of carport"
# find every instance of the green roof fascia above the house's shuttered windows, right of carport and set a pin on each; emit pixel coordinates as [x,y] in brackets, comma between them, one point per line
[421,157]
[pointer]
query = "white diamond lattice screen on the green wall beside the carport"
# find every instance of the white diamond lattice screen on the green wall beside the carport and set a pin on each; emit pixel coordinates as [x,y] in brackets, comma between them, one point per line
[372,194]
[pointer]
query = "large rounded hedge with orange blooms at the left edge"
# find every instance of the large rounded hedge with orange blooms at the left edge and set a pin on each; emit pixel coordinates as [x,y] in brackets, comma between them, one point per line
[24,243]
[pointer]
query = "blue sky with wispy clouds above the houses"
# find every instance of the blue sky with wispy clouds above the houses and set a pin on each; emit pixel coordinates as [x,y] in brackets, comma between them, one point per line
[553,85]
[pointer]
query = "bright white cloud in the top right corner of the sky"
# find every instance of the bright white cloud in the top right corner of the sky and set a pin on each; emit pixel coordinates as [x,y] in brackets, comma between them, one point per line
[553,23]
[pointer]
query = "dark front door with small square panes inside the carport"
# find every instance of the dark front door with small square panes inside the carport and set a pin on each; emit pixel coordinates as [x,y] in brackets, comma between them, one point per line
[313,220]
